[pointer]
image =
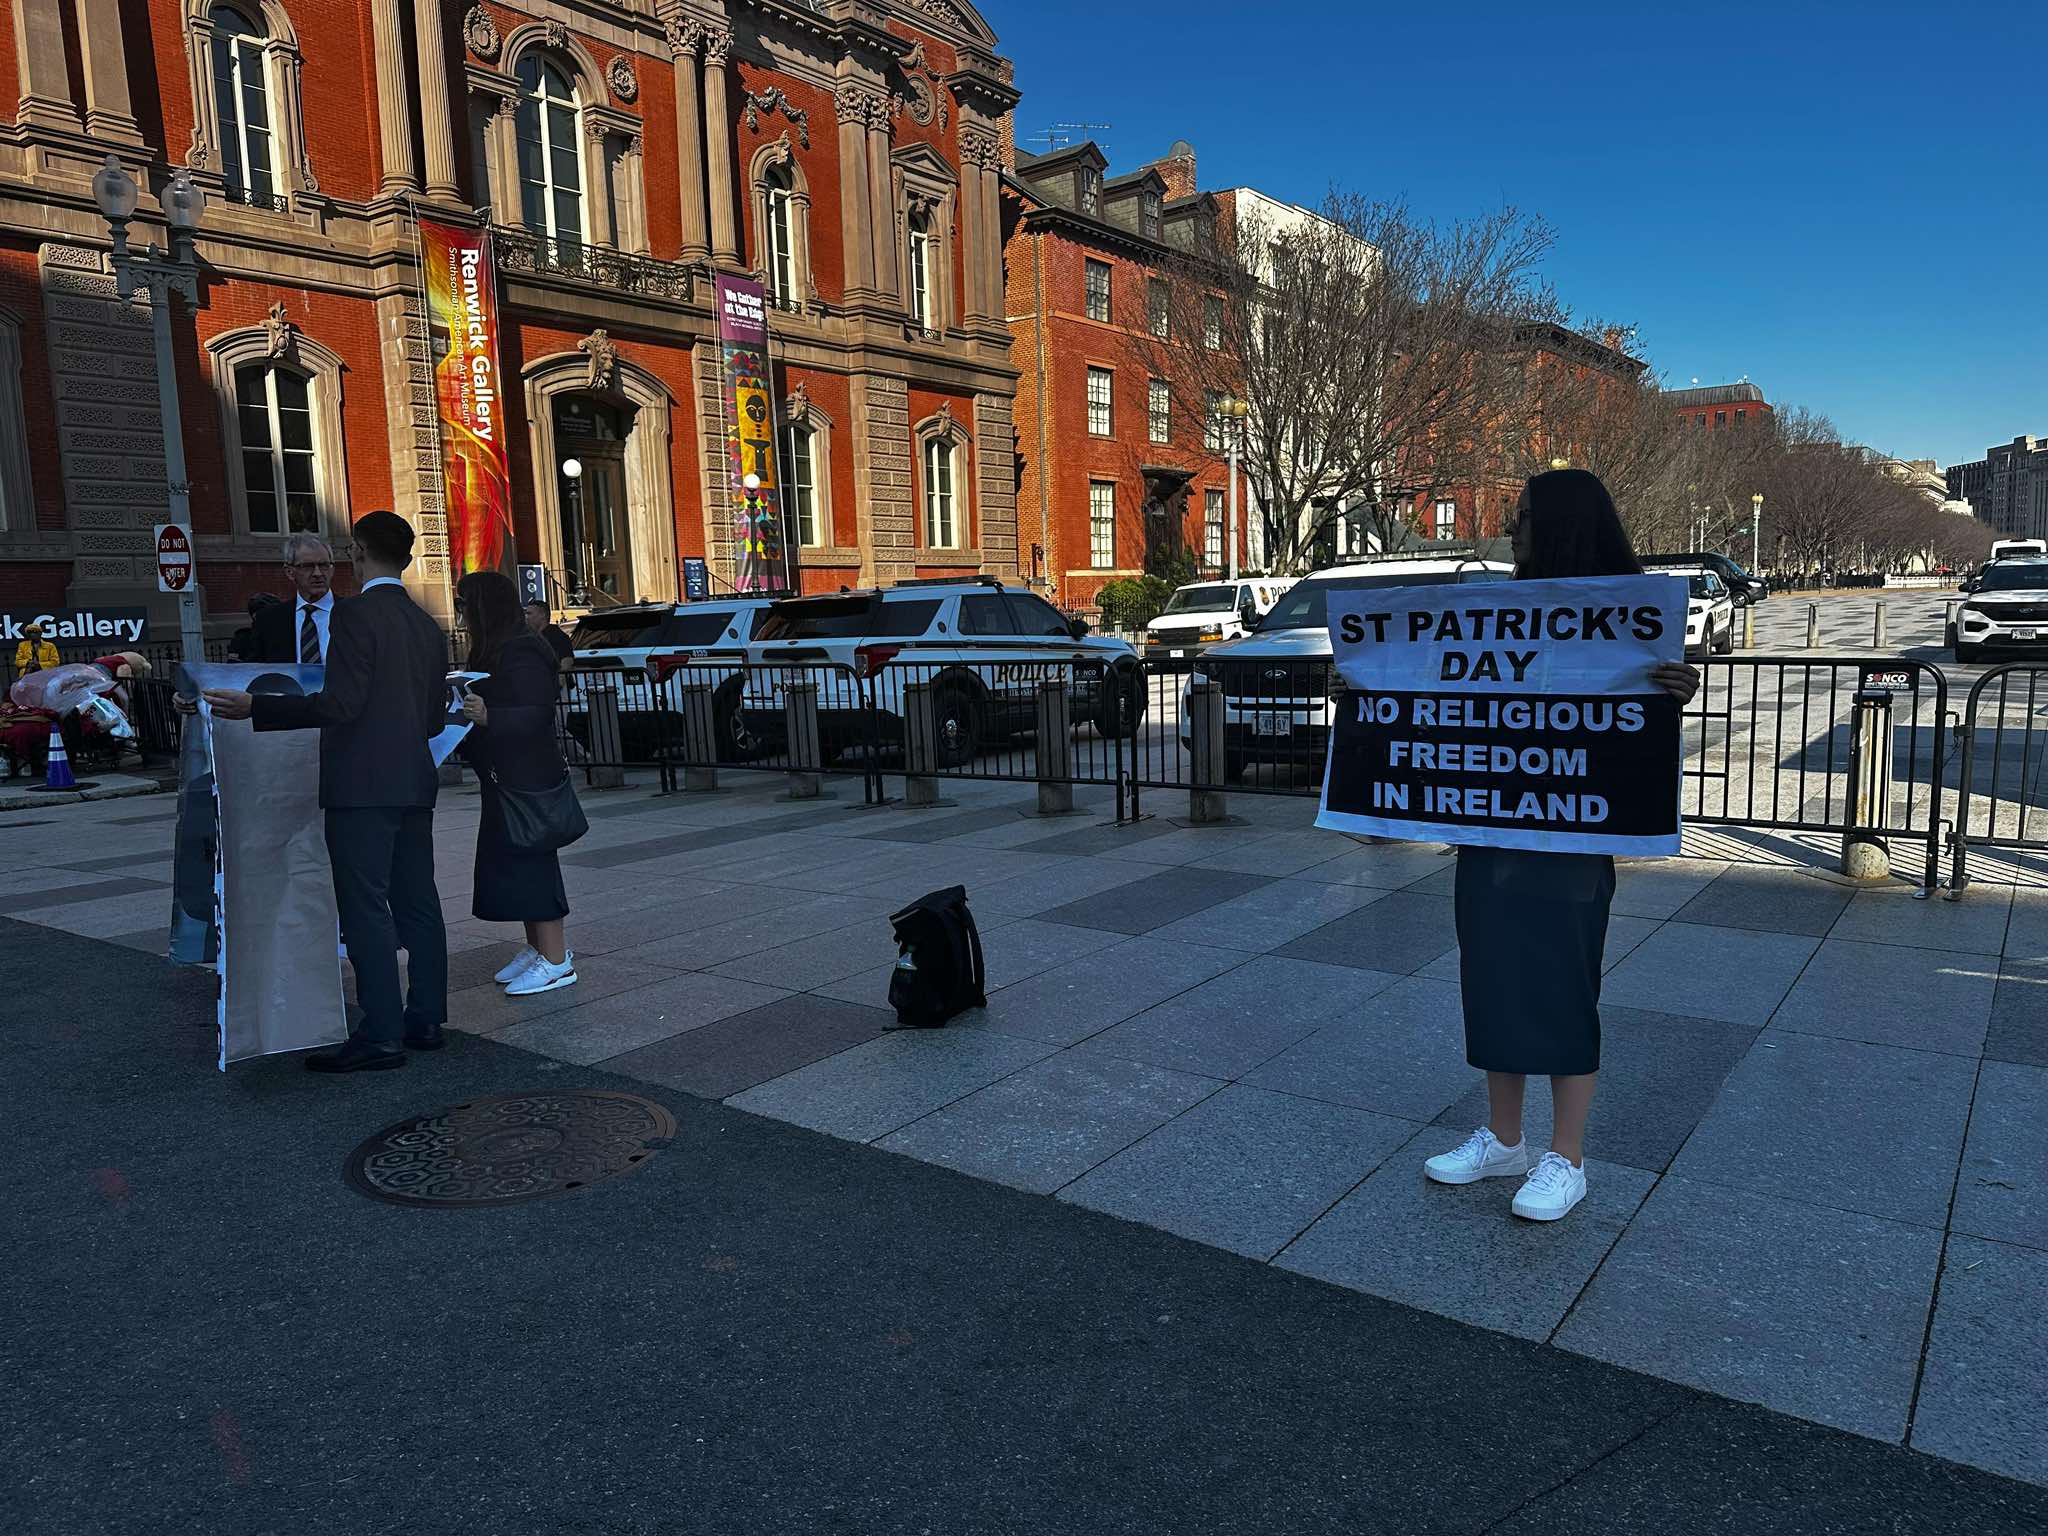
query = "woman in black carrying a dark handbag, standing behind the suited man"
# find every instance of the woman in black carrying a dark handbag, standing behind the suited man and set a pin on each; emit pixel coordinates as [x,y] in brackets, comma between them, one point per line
[513,746]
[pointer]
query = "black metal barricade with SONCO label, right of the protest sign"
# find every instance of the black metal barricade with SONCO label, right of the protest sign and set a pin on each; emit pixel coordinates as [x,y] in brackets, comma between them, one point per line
[1852,746]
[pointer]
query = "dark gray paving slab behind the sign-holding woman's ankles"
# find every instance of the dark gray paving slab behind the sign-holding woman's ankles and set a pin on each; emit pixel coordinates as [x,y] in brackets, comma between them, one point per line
[1658,1076]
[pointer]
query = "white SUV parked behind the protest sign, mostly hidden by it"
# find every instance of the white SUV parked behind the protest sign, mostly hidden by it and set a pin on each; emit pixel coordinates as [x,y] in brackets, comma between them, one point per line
[1277,683]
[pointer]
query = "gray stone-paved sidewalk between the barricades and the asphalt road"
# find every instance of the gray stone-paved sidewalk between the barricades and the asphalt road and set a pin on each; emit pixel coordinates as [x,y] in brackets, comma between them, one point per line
[1820,1181]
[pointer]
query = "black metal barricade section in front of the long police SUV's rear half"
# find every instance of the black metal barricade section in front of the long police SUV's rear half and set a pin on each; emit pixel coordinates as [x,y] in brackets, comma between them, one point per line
[808,720]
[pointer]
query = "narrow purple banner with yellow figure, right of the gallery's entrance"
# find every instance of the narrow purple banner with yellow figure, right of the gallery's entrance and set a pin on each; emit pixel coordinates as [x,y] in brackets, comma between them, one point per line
[755,490]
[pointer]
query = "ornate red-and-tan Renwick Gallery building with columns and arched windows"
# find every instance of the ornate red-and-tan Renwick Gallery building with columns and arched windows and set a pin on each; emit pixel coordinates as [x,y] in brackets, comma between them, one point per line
[624,155]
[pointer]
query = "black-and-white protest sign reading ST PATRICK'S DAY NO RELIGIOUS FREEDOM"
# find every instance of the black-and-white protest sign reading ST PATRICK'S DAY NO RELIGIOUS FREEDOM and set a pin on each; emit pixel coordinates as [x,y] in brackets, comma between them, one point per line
[1508,716]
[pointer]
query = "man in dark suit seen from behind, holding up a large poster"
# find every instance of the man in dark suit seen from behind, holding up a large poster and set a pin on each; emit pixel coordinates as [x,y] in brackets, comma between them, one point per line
[384,699]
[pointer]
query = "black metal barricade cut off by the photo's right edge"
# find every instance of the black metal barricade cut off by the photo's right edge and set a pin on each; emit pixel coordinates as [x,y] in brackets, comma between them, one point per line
[2000,785]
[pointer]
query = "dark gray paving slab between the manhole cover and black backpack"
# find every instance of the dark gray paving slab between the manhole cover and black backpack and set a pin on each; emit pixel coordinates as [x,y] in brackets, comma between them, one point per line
[744,1050]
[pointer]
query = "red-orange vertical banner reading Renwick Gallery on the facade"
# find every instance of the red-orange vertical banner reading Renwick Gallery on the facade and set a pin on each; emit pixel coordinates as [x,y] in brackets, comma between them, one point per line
[462,314]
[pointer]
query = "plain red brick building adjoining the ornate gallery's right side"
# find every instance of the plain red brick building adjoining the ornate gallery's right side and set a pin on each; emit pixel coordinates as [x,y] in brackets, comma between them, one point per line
[1113,466]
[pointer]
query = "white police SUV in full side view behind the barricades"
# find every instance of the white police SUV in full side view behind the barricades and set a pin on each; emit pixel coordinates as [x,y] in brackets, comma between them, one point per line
[980,646]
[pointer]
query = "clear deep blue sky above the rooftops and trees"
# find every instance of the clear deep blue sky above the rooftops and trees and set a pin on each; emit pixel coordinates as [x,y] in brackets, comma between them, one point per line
[1844,202]
